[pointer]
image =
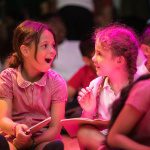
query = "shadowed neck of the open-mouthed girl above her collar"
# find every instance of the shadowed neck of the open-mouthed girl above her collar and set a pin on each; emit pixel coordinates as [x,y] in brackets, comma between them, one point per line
[31,75]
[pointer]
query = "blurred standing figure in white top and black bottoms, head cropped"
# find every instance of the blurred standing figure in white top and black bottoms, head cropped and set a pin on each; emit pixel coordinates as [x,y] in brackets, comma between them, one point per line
[77,16]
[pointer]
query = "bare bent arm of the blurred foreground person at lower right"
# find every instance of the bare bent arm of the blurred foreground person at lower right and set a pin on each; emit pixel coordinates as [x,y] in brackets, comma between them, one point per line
[124,124]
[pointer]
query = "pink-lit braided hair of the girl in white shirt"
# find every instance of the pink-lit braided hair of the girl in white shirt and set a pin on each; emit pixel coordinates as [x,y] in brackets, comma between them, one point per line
[122,41]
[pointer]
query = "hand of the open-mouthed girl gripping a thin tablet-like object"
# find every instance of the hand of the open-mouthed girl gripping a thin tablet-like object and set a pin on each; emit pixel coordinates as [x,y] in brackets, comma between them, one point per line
[22,140]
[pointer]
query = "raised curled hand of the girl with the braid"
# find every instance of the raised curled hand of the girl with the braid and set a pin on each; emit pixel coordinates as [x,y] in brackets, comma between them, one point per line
[87,100]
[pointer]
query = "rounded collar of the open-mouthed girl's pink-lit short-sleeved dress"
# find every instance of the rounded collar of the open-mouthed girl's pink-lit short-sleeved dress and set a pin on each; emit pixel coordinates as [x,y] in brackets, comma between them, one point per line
[24,83]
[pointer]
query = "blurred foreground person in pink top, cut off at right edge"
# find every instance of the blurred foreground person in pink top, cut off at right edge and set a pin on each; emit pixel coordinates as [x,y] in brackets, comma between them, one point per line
[129,129]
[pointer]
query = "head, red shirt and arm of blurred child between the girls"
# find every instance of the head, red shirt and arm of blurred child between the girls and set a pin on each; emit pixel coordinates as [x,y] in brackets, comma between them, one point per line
[85,74]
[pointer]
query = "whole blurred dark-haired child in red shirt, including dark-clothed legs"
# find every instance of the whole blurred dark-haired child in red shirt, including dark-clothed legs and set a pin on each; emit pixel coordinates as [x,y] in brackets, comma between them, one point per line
[81,78]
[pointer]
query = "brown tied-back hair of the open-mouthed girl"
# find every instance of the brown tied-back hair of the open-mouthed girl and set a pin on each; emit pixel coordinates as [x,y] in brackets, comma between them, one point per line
[25,33]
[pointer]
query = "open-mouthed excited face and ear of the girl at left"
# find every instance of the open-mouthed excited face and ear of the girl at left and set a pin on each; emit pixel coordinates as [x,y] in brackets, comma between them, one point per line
[45,52]
